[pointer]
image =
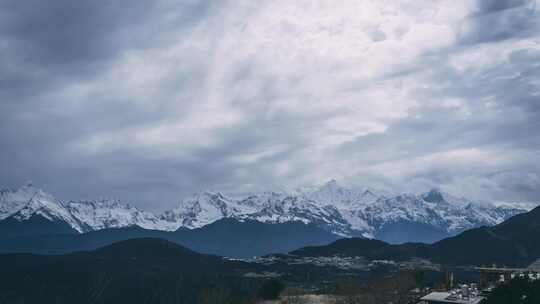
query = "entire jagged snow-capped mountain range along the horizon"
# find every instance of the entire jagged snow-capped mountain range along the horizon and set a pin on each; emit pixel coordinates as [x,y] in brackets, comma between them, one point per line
[340,210]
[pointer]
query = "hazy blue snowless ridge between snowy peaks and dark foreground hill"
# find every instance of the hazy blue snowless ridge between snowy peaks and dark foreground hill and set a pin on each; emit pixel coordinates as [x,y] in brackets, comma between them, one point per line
[226,237]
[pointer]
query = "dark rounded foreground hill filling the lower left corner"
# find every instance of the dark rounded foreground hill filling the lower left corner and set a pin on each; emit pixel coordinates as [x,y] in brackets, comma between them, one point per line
[134,271]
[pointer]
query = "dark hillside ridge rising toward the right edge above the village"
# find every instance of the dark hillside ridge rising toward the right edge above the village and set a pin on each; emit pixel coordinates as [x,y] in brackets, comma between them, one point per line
[513,242]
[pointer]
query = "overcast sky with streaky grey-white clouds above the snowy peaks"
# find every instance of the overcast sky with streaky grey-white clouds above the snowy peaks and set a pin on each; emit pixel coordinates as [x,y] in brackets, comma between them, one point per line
[149,101]
